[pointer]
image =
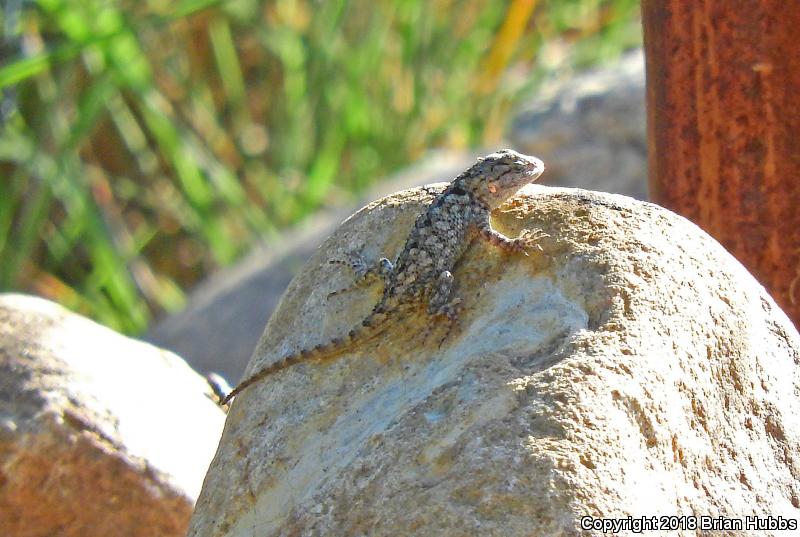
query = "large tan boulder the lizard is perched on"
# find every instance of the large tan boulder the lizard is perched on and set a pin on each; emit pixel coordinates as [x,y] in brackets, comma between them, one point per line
[631,368]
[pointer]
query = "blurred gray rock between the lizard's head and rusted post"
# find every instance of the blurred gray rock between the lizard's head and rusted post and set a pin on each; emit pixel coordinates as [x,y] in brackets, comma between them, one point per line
[591,130]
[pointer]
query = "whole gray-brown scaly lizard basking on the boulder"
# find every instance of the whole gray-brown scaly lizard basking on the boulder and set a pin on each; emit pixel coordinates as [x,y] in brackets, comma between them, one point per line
[441,234]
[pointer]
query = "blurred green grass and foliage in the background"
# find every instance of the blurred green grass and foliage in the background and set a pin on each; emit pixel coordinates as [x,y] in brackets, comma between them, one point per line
[145,143]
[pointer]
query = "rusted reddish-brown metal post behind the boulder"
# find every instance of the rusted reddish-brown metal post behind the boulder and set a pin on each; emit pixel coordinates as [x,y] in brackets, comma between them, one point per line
[723,96]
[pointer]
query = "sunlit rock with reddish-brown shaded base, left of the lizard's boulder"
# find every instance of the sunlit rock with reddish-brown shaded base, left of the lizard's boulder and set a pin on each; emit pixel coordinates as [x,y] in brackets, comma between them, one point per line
[99,434]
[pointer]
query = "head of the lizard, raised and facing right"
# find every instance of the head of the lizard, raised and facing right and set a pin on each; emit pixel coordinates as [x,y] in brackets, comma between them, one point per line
[497,177]
